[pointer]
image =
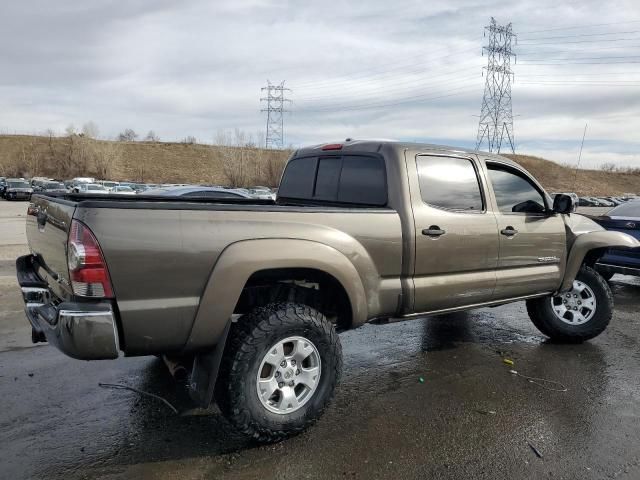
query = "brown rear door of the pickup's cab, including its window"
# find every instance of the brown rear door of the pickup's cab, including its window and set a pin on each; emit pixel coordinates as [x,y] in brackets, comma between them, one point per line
[456,238]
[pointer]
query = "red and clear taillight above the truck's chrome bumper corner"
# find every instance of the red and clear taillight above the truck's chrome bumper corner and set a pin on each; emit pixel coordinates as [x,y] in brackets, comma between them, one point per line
[87,268]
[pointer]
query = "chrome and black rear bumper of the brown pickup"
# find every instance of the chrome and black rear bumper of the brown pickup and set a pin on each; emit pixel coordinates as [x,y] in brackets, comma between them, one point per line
[81,330]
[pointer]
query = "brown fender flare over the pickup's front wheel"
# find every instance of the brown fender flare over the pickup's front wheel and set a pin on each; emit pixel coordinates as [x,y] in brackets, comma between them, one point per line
[586,242]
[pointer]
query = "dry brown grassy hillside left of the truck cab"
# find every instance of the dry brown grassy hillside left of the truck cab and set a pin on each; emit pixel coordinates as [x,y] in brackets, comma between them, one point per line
[152,162]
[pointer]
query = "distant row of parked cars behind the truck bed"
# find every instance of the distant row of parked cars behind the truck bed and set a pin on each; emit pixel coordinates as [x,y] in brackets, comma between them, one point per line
[22,189]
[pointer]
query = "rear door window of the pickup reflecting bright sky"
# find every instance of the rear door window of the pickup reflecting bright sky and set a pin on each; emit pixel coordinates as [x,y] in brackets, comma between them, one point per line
[450,183]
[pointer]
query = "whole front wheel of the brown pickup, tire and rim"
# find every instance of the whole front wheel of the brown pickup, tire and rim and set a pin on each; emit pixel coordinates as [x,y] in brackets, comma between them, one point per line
[577,315]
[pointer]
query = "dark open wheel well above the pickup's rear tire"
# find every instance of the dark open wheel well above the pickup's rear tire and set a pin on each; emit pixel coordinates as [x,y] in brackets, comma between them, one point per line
[311,287]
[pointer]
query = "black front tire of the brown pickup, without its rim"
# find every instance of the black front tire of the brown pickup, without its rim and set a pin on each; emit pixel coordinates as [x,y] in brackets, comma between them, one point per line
[543,317]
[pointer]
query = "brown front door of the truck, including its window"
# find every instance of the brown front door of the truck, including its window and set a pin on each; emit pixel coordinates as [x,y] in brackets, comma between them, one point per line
[532,240]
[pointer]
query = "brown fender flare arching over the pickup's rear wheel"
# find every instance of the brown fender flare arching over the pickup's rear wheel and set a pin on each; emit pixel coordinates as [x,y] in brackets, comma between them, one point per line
[242,259]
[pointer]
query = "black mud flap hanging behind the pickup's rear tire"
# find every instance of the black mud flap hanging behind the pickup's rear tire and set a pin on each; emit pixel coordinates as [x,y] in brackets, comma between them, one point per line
[205,372]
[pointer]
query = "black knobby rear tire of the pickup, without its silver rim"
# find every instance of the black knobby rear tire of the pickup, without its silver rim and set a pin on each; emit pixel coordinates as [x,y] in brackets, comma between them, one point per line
[249,340]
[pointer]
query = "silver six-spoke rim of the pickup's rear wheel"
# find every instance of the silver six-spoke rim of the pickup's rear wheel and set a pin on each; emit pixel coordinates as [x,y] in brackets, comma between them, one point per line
[288,375]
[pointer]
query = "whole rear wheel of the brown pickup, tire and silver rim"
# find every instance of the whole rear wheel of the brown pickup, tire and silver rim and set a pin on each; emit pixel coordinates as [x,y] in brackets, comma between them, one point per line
[279,370]
